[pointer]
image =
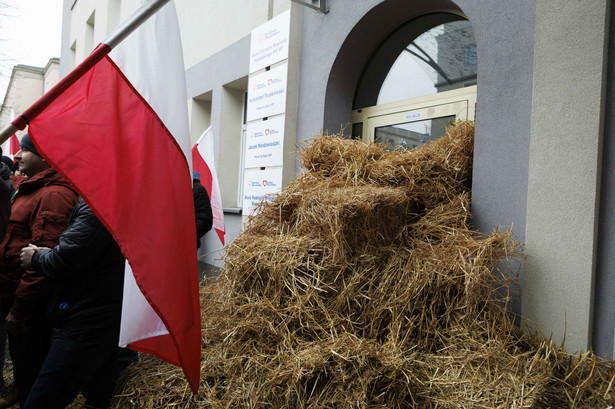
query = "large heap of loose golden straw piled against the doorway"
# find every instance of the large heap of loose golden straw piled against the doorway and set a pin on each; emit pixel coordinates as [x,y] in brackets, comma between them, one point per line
[362,285]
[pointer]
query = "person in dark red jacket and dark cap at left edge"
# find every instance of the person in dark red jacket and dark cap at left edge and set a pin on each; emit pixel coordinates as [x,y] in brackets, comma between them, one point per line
[41,207]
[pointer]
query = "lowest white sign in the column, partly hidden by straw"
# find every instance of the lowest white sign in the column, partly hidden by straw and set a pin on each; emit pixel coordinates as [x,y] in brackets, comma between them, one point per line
[258,184]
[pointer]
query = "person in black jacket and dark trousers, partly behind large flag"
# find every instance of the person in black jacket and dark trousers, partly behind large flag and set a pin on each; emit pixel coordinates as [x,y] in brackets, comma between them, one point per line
[87,270]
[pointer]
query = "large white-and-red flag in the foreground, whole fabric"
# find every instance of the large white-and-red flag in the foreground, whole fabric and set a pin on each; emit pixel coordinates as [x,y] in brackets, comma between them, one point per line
[119,134]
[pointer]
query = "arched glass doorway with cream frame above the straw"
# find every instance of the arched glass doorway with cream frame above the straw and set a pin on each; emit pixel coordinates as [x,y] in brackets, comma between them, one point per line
[421,78]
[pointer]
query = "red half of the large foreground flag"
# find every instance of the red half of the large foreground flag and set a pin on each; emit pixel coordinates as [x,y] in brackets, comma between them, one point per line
[112,147]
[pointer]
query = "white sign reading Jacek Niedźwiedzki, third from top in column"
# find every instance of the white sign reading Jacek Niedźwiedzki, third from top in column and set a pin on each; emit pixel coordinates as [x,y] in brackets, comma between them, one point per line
[265,143]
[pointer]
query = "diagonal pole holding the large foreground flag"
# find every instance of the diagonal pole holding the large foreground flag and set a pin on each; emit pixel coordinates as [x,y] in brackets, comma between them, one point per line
[120,33]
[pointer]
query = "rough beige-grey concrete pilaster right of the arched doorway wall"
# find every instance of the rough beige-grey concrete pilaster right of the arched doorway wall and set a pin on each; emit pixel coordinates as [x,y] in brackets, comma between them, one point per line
[564,172]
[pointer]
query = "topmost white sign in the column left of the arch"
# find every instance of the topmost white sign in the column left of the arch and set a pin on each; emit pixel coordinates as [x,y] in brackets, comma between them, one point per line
[269,42]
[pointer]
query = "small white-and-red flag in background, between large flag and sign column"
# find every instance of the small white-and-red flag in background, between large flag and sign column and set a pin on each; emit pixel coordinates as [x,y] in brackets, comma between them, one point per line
[203,162]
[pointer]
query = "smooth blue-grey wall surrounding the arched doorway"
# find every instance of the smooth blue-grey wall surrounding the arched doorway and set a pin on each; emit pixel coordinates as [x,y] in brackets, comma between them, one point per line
[336,47]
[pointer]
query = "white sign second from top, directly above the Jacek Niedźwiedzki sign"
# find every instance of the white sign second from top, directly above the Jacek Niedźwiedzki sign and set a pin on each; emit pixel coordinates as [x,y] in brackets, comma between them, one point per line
[267,93]
